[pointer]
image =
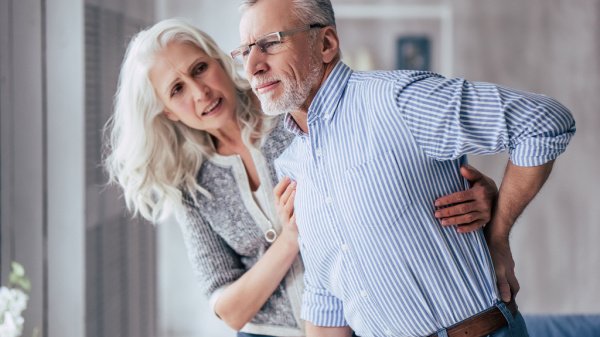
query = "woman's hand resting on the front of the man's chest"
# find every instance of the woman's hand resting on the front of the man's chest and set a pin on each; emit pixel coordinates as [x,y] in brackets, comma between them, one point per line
[285,192]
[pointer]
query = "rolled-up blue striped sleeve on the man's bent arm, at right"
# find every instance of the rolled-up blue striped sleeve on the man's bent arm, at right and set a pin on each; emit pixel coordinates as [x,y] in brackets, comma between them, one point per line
[450,118]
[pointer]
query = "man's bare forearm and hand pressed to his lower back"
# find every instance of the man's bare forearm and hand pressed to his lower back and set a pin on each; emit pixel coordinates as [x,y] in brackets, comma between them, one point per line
[519,186]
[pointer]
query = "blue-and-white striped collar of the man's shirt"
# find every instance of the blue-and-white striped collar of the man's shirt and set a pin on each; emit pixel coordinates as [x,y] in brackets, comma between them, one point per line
[326,100]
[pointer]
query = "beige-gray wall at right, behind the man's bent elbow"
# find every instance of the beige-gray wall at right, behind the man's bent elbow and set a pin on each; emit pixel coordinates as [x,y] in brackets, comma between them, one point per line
[550,47]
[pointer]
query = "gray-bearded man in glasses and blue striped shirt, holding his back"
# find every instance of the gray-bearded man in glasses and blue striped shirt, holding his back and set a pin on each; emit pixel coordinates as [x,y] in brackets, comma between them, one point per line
[372,149]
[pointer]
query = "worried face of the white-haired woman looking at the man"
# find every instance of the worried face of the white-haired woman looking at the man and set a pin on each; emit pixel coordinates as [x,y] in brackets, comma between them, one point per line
[194,87]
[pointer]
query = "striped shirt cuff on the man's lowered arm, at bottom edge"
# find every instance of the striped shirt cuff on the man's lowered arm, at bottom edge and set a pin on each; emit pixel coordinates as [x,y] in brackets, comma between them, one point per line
[321,308]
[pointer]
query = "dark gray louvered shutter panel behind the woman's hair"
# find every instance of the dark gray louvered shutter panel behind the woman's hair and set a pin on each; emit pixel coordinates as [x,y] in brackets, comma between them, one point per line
[121,297]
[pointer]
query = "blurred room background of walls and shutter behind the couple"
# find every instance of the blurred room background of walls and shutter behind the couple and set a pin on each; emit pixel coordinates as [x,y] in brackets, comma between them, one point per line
[97,272]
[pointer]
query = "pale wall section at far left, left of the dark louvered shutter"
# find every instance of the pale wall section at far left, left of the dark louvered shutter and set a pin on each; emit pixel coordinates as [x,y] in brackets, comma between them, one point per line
[41,149]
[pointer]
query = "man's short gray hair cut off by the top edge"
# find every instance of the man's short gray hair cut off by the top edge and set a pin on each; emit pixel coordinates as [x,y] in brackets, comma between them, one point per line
[307,11]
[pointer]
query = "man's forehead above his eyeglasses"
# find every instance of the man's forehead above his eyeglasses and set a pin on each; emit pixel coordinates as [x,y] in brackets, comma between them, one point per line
[264,17]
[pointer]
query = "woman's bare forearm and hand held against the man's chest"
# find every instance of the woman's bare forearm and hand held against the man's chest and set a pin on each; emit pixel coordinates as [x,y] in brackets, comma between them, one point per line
[242,299]
